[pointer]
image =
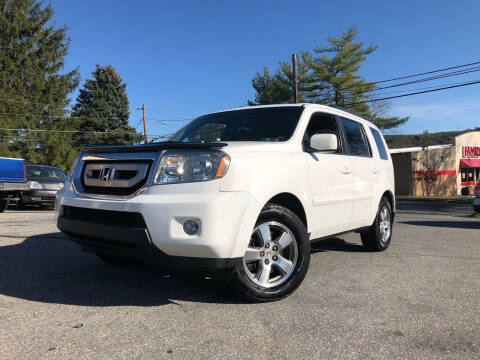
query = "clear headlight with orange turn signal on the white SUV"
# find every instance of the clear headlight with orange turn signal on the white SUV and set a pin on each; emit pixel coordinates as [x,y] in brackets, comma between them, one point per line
[191,166]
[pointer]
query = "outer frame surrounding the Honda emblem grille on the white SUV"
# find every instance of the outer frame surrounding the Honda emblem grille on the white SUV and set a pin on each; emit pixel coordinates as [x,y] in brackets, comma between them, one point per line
[77,184]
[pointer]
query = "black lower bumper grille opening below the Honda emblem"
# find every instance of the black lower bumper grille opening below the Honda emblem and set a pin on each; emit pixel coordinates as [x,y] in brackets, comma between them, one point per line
[105,217]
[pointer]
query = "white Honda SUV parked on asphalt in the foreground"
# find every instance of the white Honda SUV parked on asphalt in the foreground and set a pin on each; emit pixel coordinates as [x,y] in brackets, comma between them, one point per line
[240,193]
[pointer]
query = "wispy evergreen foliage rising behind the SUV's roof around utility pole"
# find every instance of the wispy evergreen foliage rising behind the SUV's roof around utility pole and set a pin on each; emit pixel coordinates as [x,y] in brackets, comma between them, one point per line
[330,76]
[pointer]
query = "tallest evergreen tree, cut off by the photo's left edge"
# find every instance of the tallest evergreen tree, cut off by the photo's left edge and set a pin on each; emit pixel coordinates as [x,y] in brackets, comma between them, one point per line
[33,92]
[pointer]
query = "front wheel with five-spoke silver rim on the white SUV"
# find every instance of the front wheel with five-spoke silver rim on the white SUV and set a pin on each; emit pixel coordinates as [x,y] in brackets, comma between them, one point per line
[280,245]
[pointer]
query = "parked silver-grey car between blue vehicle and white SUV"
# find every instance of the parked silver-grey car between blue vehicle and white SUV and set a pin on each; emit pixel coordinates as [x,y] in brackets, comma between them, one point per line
[44,181]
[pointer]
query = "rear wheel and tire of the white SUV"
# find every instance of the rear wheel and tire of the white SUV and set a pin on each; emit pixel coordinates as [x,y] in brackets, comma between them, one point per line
[379,235]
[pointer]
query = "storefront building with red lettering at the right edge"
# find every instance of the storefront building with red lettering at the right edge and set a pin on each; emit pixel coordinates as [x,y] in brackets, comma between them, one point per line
[440,170]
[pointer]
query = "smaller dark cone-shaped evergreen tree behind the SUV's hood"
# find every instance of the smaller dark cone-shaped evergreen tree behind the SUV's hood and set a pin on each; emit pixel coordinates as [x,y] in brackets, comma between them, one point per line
[102,110]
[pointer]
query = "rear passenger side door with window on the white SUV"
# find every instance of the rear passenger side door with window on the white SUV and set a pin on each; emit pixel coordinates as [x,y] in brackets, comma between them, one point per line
[365,172]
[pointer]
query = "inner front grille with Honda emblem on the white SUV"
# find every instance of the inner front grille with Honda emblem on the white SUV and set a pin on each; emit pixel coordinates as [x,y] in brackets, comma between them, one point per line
[115,177]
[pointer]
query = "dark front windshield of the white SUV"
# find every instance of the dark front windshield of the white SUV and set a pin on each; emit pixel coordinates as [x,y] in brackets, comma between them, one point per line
[259,124]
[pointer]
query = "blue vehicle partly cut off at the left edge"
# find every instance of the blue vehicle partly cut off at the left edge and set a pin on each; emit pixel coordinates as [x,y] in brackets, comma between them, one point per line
[12,180]
